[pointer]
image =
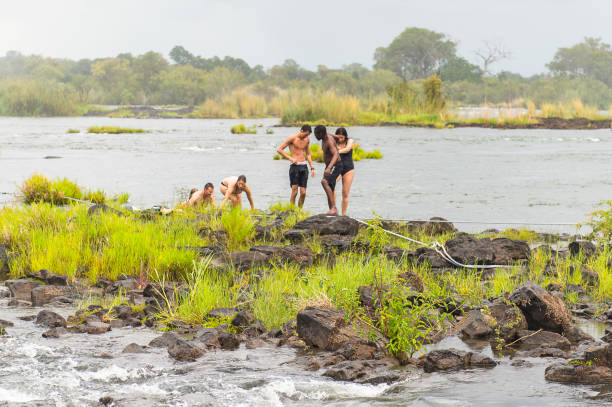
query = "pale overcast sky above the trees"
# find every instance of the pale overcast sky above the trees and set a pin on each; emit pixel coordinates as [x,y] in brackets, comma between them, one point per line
[313,32]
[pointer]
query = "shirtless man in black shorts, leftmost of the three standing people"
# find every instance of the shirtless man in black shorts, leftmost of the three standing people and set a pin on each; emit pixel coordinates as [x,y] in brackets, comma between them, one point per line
[298,171]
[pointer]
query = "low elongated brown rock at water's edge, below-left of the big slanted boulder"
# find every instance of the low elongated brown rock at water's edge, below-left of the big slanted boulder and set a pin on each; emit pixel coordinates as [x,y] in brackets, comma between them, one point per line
[453,359]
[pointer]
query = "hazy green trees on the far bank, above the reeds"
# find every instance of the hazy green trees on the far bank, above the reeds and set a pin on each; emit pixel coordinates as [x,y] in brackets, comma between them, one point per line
[50,86]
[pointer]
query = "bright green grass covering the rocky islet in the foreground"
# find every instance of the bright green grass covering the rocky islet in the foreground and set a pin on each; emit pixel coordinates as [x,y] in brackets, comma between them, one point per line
[267,266]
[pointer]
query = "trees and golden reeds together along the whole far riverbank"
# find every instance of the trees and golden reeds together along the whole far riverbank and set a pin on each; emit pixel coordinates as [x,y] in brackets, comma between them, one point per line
[407,86]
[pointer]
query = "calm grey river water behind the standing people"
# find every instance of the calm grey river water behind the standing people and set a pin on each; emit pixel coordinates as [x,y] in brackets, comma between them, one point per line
[531,176]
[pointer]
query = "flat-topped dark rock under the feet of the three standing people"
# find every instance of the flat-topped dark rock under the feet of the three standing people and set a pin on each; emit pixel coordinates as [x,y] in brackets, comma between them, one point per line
[323,225]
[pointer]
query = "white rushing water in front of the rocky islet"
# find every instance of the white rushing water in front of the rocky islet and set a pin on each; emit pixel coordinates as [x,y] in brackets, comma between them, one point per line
[35,371]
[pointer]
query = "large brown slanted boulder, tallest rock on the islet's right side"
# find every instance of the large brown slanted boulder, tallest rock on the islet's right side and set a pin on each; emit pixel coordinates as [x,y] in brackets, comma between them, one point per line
[541,309]
